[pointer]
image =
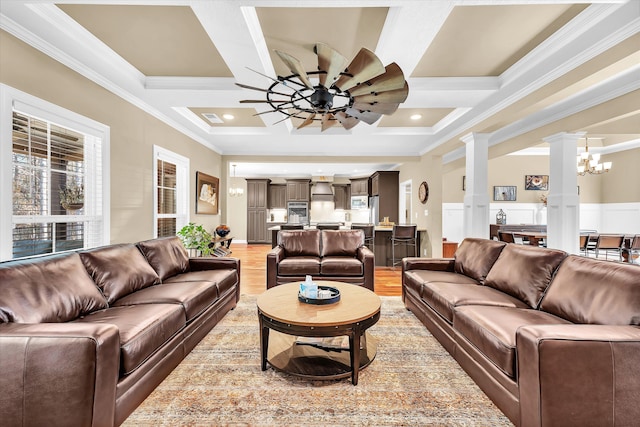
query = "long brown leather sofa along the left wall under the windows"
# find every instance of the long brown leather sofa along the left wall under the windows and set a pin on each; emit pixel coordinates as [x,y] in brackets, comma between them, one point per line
[86,336]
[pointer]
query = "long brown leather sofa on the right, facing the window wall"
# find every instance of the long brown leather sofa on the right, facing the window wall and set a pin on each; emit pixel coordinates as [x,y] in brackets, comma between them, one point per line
[552,339]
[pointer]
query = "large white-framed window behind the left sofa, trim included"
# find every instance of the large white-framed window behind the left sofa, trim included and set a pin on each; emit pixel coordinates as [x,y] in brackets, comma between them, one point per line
[53,169]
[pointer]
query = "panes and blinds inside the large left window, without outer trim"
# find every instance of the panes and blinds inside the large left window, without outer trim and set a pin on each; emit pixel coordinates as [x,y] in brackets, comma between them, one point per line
[57,187]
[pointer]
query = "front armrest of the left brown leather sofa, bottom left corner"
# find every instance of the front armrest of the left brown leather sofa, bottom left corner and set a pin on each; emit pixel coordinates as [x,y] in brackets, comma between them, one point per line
[62,372]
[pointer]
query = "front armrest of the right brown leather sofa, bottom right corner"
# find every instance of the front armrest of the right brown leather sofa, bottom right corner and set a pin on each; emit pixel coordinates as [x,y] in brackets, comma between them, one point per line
[578,375]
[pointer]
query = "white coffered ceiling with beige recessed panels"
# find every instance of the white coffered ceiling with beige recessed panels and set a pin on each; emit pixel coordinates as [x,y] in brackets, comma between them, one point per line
[507,68]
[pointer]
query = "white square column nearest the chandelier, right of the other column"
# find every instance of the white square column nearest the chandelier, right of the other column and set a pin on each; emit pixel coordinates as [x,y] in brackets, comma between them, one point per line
[563,202]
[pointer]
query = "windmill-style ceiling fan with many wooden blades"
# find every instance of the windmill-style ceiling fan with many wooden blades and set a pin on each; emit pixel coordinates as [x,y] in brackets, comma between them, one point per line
[345,93]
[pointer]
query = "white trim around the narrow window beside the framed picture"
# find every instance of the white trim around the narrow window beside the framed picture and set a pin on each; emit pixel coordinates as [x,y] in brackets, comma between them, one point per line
[182,187]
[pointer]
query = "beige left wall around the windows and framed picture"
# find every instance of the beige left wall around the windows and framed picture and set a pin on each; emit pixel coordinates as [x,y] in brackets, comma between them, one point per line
[133,134]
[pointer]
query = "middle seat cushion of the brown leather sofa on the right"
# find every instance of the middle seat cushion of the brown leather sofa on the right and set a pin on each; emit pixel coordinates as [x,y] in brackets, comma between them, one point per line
[445,297]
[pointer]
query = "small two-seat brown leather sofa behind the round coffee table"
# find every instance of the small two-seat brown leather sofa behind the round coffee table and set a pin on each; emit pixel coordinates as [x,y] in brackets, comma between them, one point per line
[338,255]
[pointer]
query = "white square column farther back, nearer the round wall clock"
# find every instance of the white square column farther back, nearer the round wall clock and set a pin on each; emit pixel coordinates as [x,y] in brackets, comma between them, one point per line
[476,199]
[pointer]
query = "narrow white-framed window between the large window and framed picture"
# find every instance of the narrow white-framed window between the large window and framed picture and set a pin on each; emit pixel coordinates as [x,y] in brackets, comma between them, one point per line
[172,192]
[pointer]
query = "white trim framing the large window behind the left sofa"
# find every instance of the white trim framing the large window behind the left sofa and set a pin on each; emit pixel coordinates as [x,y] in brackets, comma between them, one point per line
[11,98]
